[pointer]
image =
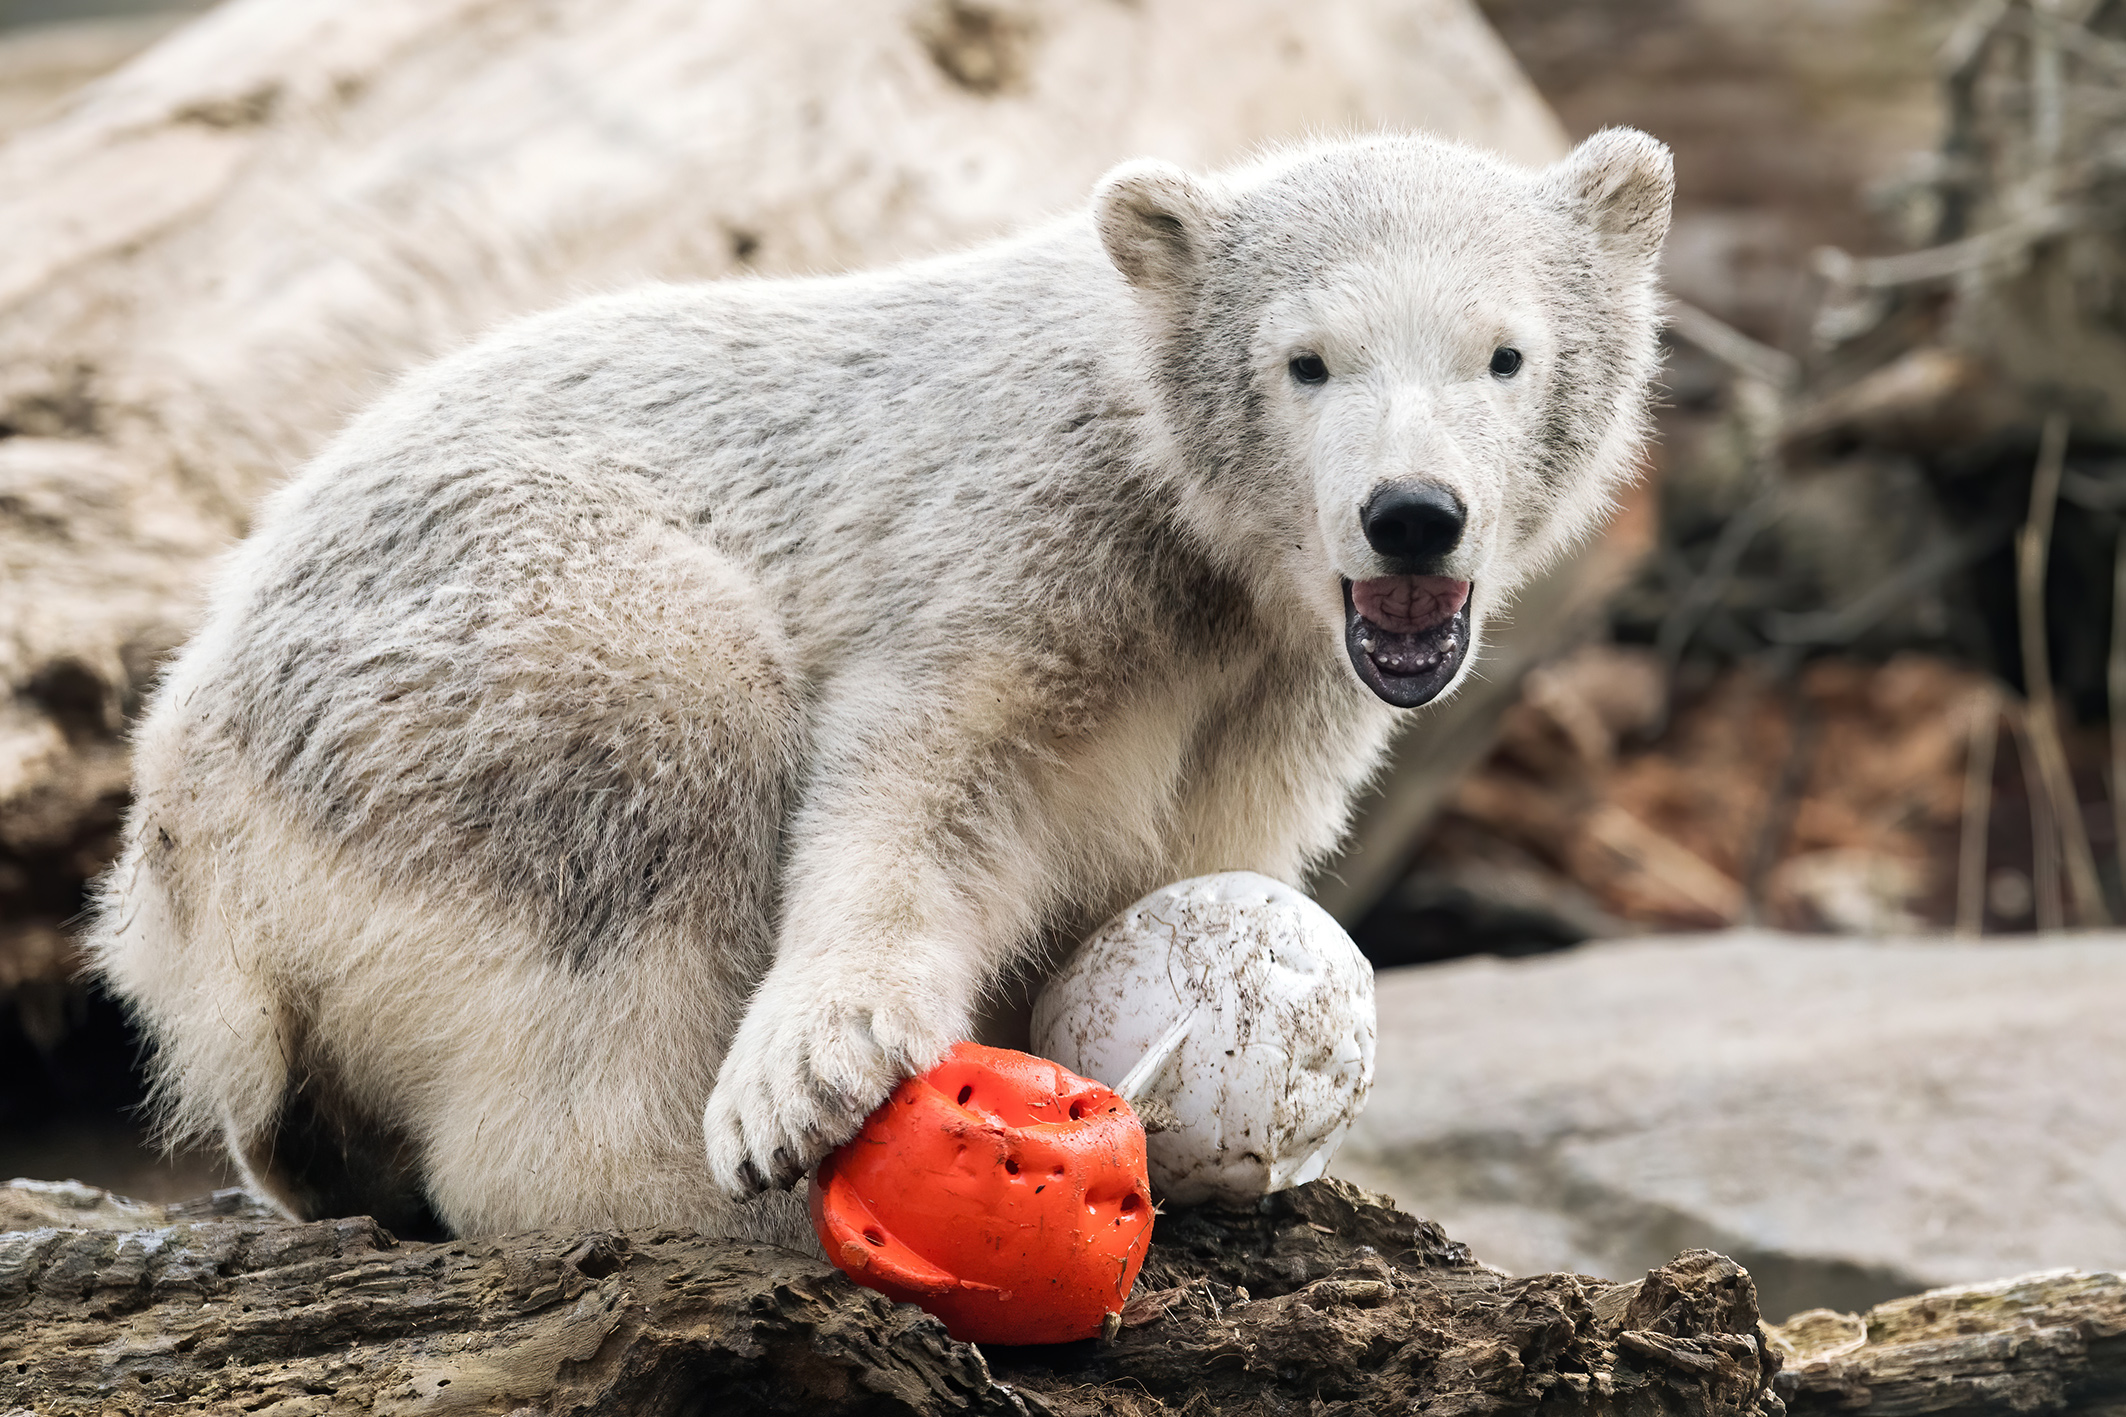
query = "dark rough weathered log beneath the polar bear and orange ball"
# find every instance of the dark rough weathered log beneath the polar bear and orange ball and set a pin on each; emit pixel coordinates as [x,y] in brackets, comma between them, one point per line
[1321,1301]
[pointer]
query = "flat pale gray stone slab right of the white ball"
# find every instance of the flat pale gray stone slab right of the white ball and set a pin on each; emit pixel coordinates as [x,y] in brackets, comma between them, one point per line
[1853,1121]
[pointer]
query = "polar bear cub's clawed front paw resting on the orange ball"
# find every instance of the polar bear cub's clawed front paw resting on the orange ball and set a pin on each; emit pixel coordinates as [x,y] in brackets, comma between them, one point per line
[800,1080]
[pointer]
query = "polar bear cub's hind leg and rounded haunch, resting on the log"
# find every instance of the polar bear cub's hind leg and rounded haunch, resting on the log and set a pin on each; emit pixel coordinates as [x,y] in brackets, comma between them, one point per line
[505,989]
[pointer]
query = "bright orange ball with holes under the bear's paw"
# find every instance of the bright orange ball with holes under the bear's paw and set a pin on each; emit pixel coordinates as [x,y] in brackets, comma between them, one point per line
[1000,1193]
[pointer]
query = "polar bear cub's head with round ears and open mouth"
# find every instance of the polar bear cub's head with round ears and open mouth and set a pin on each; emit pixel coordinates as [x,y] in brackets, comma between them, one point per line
[1402,373]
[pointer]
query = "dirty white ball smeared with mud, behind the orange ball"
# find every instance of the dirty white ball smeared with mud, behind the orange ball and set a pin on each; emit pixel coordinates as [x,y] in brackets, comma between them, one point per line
[1247,1017]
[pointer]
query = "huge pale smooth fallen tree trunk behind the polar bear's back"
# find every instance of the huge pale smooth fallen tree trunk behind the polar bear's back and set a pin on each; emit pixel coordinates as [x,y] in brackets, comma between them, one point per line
[222,250]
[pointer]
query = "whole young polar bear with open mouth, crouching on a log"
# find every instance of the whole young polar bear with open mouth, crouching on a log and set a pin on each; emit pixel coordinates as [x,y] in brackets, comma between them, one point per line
[703,696]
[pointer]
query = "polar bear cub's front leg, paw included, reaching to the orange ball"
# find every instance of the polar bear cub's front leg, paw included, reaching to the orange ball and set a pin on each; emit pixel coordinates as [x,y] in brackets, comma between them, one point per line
[922,864]
